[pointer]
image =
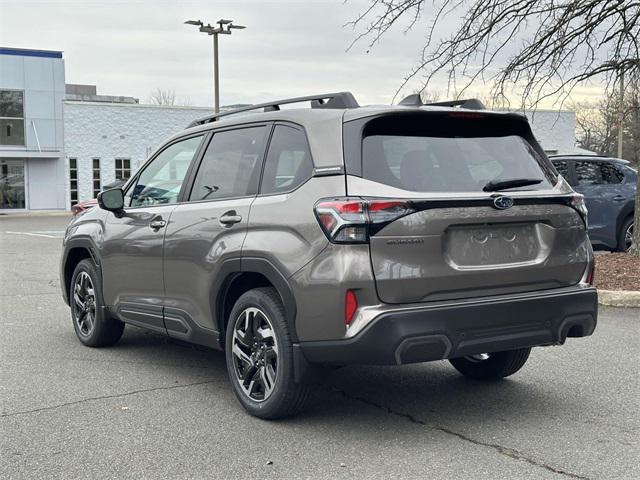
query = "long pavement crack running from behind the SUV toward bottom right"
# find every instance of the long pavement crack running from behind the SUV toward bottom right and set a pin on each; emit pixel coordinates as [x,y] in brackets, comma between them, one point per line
[502,450]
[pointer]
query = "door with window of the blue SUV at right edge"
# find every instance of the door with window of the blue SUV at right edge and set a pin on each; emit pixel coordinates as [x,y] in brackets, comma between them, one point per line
[600,183]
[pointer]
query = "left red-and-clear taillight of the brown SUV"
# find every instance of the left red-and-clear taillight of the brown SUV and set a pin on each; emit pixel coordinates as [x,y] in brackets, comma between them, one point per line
[353,220]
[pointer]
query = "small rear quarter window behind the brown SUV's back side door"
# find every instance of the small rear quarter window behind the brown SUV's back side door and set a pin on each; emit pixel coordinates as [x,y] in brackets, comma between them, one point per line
[288,163]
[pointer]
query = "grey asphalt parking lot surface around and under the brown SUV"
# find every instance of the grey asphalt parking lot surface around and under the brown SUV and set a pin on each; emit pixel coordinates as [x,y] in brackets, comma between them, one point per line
[149,408]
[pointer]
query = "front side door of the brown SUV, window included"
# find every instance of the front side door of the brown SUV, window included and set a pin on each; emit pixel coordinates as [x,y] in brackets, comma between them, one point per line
[132,251]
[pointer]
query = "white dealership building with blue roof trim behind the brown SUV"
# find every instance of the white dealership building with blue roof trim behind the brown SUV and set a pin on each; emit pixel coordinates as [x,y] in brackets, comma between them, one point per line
[60,144]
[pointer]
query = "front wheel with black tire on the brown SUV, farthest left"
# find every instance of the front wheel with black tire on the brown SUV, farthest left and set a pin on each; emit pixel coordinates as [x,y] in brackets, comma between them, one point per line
[105,330]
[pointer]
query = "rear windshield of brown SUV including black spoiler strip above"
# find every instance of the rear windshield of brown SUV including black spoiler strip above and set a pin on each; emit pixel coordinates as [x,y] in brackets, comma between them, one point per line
[450,153]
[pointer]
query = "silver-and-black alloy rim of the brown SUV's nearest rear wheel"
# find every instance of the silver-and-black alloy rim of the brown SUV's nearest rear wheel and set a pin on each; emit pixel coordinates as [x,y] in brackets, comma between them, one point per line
[255,354]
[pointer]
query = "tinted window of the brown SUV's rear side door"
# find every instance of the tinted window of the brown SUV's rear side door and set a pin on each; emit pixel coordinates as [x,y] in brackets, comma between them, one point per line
[231,165]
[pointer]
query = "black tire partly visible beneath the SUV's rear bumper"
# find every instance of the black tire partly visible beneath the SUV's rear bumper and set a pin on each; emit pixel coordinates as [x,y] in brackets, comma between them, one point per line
[498,365]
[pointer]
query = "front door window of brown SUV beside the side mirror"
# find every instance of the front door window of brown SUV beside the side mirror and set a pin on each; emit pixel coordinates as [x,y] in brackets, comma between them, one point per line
[161,180]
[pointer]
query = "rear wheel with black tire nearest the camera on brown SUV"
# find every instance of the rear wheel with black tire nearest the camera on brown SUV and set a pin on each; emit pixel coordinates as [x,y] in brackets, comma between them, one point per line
[262,307]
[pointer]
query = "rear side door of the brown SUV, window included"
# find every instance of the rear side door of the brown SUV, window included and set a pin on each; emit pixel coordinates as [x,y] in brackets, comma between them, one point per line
[205,235]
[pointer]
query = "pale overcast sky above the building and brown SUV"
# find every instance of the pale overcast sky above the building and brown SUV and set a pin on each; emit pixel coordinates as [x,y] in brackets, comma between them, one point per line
[289,48]
